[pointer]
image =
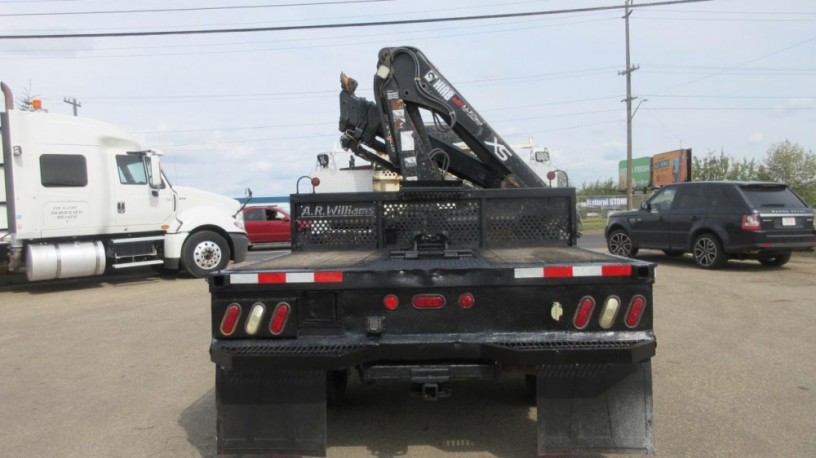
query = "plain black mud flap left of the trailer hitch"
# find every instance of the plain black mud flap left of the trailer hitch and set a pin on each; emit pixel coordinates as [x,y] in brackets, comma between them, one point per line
[270,412]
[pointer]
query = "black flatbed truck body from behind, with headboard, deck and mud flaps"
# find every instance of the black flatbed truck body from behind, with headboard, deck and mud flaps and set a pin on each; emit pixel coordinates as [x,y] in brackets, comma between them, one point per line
[435,283]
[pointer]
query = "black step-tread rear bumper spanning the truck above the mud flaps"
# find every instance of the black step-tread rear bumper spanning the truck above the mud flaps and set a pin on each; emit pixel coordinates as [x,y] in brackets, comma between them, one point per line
[332,353]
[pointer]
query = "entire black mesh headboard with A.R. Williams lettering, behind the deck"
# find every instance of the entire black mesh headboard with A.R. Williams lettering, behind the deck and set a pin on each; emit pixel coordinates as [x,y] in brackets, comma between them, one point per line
[512,218]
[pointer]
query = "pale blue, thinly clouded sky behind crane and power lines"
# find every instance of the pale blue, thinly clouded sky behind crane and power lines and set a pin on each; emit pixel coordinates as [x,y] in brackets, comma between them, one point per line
[254,109]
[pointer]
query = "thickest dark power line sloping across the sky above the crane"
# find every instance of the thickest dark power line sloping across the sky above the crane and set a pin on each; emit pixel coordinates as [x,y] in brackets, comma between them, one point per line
[338,25]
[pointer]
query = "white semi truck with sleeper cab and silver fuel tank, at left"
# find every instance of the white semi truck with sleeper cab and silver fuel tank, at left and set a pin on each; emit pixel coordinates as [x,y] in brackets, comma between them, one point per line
[81,197]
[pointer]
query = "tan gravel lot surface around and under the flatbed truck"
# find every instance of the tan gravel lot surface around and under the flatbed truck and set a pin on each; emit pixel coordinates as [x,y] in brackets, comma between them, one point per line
[119,367]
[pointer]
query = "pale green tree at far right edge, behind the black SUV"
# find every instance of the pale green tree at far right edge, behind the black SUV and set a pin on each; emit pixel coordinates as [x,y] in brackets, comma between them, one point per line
[789,163]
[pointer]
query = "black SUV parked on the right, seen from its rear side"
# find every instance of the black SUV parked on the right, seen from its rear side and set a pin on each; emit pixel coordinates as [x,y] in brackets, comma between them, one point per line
[716,221]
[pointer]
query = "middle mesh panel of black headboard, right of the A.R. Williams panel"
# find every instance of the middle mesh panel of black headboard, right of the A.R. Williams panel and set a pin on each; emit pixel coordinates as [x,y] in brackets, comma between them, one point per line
[459,219]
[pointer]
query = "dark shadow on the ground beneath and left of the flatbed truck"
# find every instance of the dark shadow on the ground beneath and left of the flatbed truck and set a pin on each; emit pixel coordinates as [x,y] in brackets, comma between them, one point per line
[493,418]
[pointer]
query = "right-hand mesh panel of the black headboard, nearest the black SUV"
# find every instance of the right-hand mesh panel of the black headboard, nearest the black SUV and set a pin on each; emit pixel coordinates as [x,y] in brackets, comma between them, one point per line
[518,221]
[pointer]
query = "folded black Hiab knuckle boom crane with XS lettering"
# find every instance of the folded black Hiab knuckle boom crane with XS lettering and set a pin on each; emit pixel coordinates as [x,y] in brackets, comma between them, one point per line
[405,83]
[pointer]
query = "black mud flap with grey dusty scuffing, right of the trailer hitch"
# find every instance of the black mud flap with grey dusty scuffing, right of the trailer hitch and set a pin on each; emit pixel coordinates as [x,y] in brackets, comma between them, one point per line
[595,408]
